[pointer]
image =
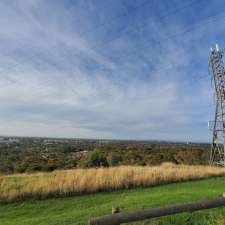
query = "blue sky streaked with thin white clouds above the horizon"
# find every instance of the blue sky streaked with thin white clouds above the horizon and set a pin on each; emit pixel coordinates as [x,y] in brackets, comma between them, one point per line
[108,69]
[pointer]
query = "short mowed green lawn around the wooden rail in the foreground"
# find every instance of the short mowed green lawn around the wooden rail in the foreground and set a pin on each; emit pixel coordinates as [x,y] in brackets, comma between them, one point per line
[79,209]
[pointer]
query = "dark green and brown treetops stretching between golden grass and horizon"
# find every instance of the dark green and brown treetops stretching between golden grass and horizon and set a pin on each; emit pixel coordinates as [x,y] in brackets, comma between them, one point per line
[27,155]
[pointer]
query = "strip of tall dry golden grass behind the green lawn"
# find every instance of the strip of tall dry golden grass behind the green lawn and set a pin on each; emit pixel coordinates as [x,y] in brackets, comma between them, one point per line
[78,181]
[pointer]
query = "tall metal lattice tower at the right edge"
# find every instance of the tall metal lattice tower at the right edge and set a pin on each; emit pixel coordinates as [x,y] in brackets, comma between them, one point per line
[217,155]
